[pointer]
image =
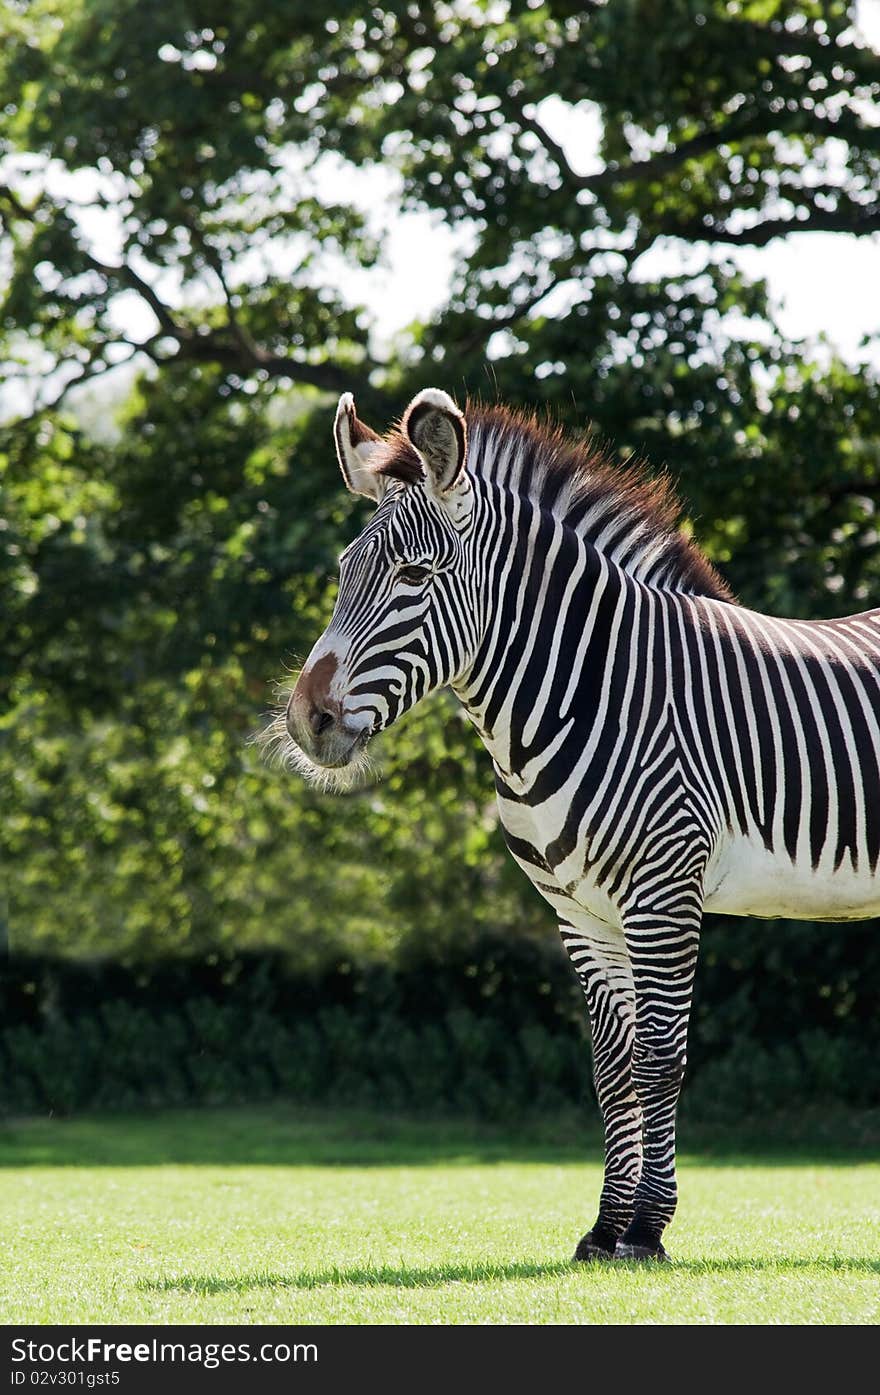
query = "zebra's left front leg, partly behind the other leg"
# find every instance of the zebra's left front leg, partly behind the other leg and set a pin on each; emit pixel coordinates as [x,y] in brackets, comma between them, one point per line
[602,960]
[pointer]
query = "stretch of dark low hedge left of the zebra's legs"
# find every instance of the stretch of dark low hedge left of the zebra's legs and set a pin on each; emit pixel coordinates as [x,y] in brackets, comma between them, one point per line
[437,1034]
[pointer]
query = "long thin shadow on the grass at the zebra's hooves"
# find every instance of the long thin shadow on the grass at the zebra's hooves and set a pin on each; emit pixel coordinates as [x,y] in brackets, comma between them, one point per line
[208,1285]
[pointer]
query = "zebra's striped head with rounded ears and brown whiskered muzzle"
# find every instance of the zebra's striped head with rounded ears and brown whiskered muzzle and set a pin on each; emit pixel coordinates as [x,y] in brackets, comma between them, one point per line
[407,617]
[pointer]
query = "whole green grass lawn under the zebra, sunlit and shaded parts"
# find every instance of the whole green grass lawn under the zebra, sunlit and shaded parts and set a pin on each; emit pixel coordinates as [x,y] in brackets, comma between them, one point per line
[267,1216]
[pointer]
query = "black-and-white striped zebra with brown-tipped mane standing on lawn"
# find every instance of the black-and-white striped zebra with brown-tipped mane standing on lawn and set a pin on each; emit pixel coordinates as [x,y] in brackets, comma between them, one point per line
[659,750]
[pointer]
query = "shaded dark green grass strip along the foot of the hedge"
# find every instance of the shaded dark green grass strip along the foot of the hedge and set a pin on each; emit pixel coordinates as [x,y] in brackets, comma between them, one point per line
[280,1136]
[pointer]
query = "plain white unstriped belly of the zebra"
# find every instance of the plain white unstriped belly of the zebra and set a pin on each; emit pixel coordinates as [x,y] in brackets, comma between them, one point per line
[747,880]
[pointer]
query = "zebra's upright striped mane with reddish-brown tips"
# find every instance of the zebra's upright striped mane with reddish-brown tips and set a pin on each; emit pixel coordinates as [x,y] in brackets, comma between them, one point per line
[621,511]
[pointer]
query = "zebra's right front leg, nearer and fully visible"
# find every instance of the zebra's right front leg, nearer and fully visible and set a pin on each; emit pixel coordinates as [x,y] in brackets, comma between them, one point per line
[663,949]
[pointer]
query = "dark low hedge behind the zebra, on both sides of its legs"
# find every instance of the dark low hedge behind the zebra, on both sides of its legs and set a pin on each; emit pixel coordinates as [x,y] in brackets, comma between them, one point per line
[496,1030]
